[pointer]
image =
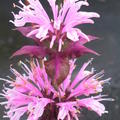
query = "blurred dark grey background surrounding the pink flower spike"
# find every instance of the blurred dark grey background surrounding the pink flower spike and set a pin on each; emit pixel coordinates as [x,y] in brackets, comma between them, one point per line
[107,28]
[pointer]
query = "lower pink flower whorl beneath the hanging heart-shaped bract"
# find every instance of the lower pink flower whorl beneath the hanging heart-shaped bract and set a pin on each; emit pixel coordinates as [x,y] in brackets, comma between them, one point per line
[34,95]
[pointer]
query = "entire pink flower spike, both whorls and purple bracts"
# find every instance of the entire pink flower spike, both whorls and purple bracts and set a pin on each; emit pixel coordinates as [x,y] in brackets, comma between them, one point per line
[45,89]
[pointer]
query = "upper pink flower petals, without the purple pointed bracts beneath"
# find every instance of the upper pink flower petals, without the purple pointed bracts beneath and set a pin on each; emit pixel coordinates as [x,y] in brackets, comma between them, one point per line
[60,28]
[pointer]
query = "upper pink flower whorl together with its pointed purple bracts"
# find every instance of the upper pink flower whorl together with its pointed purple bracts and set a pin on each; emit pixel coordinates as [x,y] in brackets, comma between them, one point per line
[33,22]
